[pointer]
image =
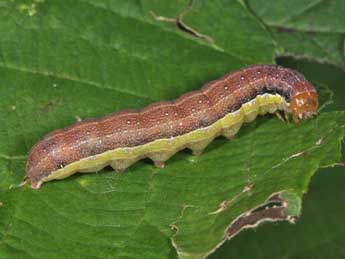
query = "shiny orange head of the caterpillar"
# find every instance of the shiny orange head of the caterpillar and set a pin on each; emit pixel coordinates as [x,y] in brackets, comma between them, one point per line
[304,105]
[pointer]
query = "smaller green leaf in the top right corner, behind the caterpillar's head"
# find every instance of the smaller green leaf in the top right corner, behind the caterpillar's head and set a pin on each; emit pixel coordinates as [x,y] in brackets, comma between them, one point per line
[309,29]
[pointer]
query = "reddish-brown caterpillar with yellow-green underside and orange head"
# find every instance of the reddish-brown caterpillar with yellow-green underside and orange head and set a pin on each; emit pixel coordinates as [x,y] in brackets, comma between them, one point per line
[161,129]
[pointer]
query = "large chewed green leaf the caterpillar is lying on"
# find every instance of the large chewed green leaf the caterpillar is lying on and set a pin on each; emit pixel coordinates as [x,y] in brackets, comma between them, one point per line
[64,60]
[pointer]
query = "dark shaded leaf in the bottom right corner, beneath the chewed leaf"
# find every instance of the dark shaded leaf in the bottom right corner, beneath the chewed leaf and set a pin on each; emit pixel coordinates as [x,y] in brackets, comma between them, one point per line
[317,234]
